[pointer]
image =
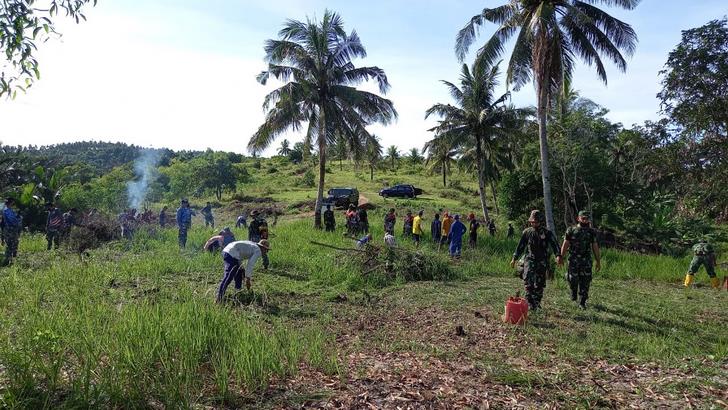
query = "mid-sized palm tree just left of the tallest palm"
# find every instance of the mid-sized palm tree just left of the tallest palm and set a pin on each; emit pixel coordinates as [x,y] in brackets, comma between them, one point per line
[478,118]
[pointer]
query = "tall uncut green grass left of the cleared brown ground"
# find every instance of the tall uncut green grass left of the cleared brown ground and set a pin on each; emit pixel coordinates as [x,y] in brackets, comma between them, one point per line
[133,330]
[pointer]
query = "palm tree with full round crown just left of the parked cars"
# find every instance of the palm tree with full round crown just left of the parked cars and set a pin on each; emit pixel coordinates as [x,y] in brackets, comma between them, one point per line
[314,60]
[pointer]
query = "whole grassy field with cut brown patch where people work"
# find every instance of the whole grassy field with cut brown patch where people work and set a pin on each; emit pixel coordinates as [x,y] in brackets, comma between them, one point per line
[134,325]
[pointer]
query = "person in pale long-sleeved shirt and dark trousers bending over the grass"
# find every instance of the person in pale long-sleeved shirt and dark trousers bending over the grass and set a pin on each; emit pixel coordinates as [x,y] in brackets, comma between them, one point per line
[233,255]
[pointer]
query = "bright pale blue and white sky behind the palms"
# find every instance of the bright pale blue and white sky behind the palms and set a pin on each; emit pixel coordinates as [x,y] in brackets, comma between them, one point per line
[181,73]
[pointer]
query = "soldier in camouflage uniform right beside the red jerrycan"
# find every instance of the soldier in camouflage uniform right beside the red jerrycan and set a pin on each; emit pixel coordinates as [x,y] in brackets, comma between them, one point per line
[536,242]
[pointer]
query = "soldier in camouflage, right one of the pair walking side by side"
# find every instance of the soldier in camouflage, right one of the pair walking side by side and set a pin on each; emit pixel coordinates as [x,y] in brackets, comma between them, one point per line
[580,241]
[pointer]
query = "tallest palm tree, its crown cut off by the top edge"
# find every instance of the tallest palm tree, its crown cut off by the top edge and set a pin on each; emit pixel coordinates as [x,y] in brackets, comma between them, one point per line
[550,36]
